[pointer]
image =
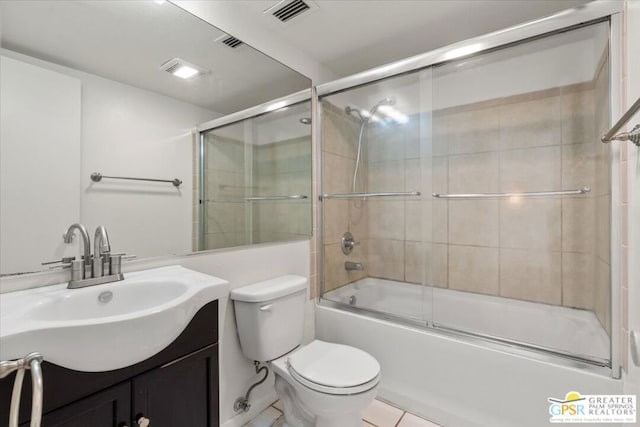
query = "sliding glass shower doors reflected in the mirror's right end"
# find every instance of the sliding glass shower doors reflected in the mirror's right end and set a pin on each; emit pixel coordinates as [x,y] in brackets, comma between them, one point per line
[256,177]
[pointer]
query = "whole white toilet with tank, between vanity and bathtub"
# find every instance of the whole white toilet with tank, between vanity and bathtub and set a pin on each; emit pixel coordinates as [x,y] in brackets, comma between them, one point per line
[320,384]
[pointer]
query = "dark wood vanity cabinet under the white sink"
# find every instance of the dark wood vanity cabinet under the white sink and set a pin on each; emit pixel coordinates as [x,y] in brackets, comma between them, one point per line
[177,387]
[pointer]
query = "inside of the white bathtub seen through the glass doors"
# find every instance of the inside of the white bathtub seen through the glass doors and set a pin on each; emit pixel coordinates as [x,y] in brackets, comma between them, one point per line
[563,329]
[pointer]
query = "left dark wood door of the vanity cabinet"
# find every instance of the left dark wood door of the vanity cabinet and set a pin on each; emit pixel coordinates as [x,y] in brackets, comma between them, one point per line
[108,408]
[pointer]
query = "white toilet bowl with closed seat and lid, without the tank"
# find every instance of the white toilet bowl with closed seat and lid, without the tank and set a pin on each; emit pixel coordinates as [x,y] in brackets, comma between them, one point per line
[326,385]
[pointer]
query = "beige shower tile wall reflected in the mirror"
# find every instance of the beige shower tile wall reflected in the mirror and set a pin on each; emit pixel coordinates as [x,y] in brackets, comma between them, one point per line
[278,169]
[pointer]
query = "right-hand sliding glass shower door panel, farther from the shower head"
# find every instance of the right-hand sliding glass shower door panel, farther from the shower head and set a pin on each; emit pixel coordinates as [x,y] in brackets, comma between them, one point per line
[524,193]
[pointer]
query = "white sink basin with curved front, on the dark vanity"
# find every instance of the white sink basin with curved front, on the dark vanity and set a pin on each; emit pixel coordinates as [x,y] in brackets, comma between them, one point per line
[105,327]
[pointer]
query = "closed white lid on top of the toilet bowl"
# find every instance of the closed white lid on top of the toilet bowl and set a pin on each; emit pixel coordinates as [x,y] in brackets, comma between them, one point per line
[334,365]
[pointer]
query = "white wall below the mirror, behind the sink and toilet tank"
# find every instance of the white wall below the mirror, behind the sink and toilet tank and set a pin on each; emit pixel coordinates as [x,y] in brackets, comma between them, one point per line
[240,267]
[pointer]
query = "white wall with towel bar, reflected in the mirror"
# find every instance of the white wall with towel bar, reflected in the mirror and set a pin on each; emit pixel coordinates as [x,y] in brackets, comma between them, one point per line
[127,131]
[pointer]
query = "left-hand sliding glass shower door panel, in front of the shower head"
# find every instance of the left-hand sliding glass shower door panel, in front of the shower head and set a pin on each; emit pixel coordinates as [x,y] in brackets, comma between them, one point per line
[376,184]
